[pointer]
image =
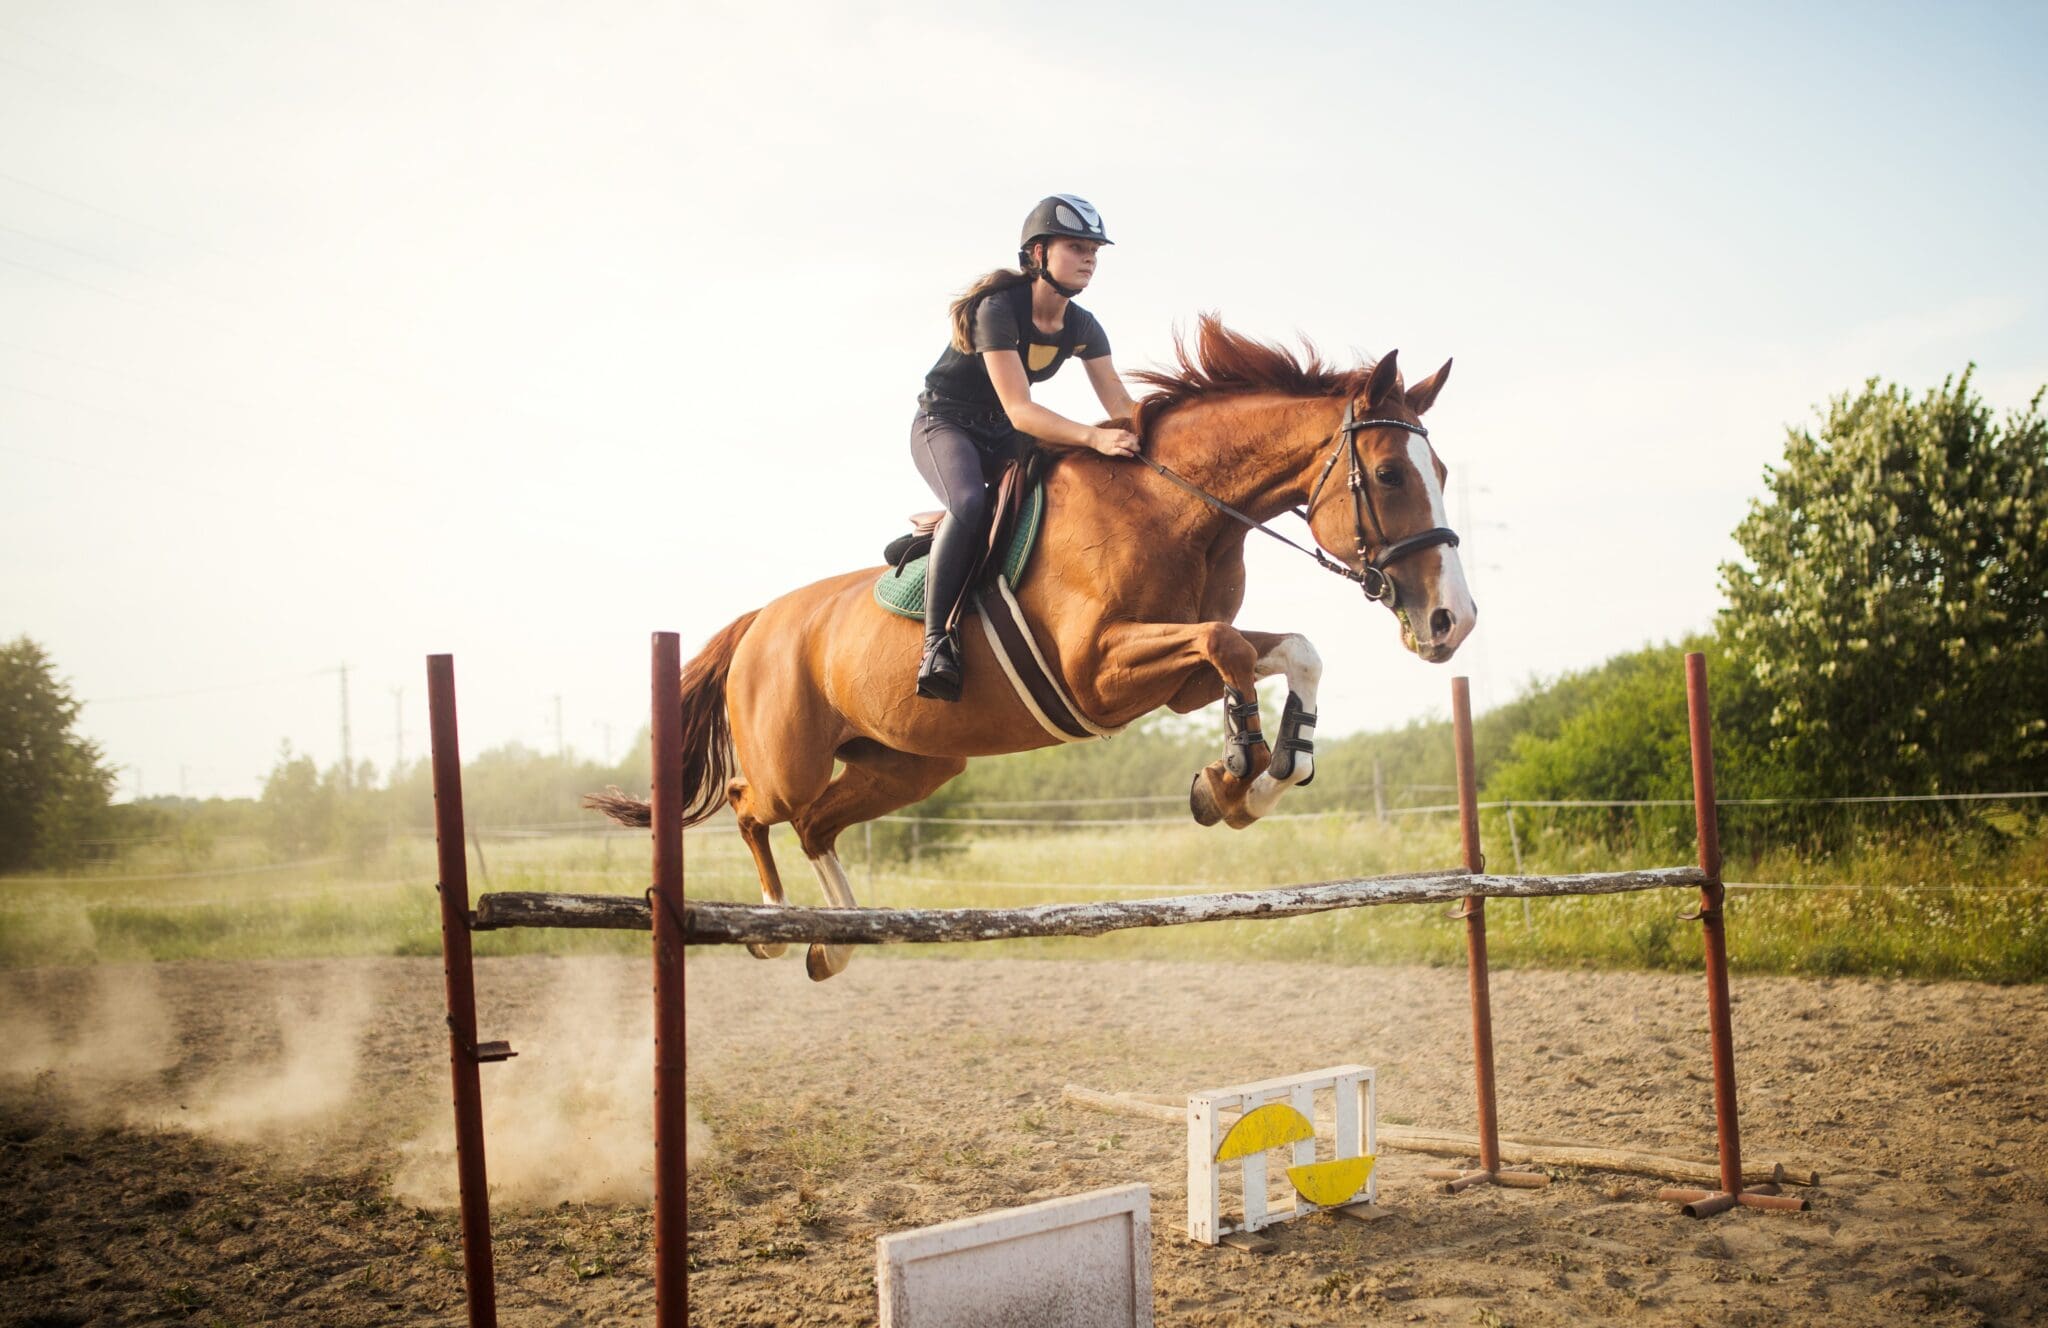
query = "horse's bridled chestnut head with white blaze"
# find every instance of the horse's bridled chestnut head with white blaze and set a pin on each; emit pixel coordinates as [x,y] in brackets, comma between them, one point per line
[1379,507]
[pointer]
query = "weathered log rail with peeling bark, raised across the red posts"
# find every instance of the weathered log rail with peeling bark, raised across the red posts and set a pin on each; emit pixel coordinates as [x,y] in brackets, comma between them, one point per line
[720,923]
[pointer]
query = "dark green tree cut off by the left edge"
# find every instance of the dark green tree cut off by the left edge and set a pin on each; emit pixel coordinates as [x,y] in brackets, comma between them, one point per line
[54,786]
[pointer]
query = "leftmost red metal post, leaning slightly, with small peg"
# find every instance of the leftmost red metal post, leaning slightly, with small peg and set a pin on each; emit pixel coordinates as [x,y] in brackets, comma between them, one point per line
[462,989]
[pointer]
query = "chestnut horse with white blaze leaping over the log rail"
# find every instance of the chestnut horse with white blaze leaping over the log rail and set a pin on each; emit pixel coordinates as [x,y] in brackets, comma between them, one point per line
[1132,595]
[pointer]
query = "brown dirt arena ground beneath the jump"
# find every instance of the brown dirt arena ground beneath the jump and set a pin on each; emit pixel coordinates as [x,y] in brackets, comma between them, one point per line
[237,1145]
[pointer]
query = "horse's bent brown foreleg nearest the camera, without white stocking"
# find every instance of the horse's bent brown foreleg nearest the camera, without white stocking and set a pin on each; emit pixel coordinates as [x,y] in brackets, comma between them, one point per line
[1191,665]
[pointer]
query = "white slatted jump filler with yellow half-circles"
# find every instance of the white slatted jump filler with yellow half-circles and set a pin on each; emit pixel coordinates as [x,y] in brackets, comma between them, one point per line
[1279,1114]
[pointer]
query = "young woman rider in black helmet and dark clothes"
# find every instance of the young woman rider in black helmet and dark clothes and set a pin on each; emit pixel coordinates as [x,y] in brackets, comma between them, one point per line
[1013,329]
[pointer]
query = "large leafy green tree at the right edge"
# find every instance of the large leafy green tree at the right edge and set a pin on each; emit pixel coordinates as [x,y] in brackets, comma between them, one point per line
[1893,595]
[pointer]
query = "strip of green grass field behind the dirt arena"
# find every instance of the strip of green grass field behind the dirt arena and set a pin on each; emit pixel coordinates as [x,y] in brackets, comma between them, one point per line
[1908,909]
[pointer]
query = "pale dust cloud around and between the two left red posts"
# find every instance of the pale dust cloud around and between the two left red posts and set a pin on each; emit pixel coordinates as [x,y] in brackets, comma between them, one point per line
[572,1116]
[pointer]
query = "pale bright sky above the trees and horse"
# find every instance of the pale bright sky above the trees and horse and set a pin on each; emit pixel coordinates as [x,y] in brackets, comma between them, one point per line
[343,335]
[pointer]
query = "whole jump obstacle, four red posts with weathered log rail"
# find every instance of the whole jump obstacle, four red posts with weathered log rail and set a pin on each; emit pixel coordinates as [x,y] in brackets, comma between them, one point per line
[677,923]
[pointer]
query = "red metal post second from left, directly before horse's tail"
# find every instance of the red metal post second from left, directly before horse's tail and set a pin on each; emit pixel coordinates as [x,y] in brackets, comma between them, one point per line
[671,1118]
